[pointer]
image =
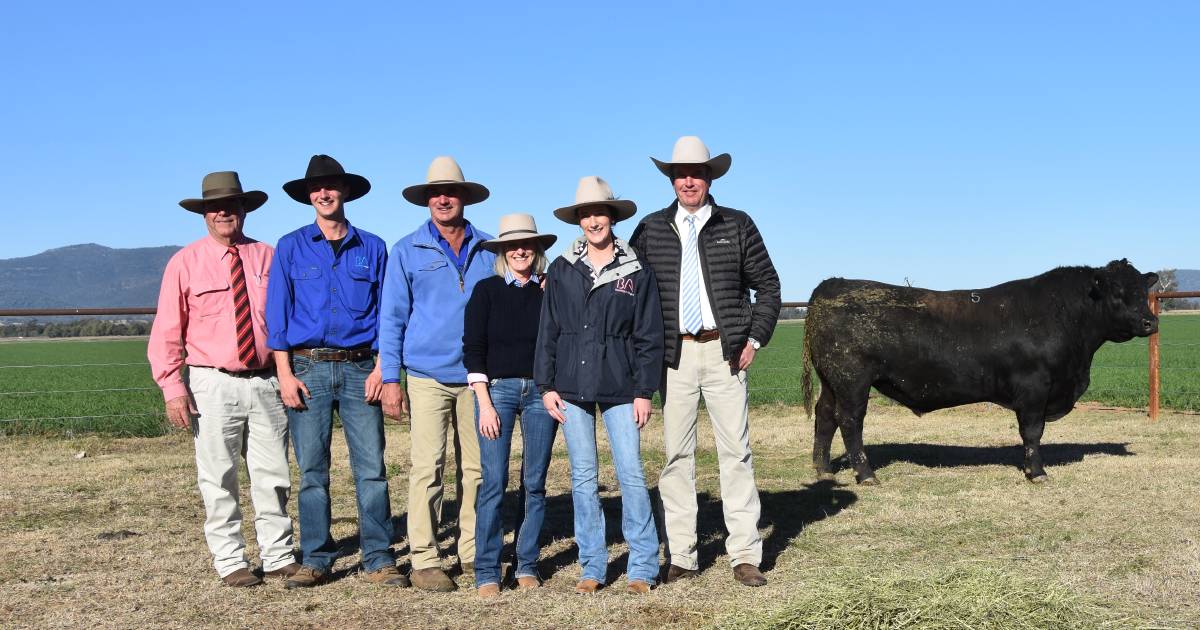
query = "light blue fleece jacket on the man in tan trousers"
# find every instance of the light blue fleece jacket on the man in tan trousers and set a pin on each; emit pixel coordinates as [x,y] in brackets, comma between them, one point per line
[424,301]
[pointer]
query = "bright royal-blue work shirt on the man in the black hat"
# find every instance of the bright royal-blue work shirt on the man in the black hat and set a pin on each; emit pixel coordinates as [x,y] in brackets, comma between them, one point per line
[319,301]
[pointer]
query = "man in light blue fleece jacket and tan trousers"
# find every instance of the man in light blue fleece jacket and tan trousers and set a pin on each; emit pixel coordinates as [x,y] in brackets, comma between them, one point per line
[430,277]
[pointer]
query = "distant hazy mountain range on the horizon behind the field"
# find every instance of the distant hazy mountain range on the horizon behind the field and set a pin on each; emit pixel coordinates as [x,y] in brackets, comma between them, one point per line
[94,277]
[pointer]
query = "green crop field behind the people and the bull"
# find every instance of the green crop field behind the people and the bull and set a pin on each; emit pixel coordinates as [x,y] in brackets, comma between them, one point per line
[67,387]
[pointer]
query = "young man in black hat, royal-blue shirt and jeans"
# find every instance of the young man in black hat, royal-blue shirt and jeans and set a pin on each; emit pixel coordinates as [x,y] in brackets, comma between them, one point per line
[322,316]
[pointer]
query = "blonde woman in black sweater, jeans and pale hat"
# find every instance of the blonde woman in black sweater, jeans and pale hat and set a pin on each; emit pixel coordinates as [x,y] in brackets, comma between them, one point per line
[500,334]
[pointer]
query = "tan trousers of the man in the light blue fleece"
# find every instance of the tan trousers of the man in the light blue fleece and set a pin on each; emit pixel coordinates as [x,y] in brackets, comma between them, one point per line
[437,411]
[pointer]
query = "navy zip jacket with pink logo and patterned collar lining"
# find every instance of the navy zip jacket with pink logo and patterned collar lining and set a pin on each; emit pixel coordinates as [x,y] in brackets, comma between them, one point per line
[599,341]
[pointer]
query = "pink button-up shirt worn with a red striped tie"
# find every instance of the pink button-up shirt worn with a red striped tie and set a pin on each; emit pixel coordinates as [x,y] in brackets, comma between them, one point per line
[196,314]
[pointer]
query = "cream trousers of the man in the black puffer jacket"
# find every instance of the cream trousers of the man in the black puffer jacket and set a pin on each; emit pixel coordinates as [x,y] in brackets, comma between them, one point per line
[705,373]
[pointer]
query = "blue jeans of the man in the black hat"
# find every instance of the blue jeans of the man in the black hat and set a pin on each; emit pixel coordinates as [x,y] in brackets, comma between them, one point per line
[341,383]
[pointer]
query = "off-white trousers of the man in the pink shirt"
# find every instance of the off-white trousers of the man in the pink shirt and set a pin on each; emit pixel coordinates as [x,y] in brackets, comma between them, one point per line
[242,419]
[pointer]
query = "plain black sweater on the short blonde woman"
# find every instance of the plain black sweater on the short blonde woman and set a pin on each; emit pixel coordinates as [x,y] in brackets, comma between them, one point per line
[501,329]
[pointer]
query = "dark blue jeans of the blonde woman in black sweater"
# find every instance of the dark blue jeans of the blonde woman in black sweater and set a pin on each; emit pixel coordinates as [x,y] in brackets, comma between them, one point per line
[512,397]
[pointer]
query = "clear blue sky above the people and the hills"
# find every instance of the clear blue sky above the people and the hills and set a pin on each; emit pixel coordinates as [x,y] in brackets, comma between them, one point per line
[956,145]
